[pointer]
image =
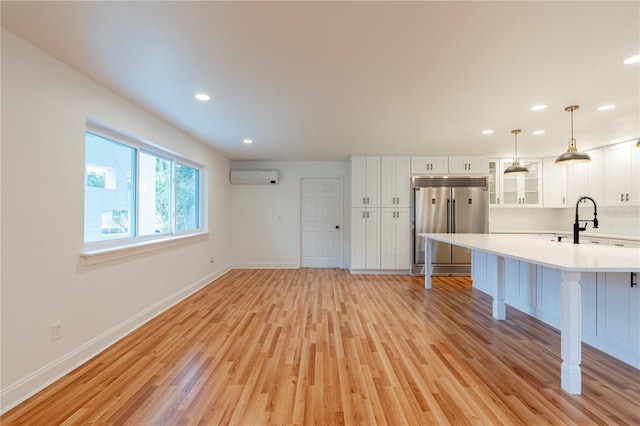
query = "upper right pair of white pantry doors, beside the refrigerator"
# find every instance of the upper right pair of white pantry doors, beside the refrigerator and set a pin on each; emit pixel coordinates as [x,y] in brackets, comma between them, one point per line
[396,181]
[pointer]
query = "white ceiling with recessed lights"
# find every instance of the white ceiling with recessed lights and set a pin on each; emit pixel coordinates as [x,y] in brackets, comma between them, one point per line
[325,80]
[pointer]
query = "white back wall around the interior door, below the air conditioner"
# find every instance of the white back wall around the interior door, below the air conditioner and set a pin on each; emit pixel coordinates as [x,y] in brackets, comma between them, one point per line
[259,238]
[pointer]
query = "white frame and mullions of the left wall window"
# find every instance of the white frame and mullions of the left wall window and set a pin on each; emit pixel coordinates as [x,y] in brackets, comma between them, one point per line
[109,245]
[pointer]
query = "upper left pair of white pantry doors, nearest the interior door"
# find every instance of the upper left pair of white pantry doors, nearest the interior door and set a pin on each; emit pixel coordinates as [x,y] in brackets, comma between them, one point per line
[365,181]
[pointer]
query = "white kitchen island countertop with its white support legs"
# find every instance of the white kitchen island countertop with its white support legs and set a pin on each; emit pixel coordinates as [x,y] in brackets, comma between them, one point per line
[570,259]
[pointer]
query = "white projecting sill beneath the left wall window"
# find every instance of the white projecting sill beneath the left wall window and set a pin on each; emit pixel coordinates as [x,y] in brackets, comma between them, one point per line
[92,257]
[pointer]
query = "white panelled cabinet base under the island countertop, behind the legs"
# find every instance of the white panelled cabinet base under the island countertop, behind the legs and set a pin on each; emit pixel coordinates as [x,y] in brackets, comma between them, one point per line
[610,304]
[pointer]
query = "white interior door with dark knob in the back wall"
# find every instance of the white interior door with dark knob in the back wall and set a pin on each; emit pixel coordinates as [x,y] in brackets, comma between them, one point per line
[321,222]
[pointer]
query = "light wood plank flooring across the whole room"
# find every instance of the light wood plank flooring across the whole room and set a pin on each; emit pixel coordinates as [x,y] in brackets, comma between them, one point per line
[321,346]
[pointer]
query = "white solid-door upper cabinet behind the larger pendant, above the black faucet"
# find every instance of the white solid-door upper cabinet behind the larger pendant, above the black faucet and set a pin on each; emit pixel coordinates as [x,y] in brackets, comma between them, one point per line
[586,179]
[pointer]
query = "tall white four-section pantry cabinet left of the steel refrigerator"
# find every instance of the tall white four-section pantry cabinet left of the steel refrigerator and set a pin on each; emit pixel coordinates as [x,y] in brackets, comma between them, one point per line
[380,233]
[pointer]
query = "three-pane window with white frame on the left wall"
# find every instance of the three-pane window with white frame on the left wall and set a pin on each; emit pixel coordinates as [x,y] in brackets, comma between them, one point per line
[135,191]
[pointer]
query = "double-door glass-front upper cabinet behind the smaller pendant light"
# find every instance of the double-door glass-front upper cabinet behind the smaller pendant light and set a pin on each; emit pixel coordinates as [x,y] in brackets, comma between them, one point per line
[521,190]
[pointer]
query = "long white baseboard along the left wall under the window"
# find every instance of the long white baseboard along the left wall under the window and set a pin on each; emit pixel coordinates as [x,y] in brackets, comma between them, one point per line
[28,386]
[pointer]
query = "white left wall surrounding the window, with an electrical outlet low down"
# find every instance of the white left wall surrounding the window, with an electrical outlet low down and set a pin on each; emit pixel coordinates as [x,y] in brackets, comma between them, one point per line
[44,280]
